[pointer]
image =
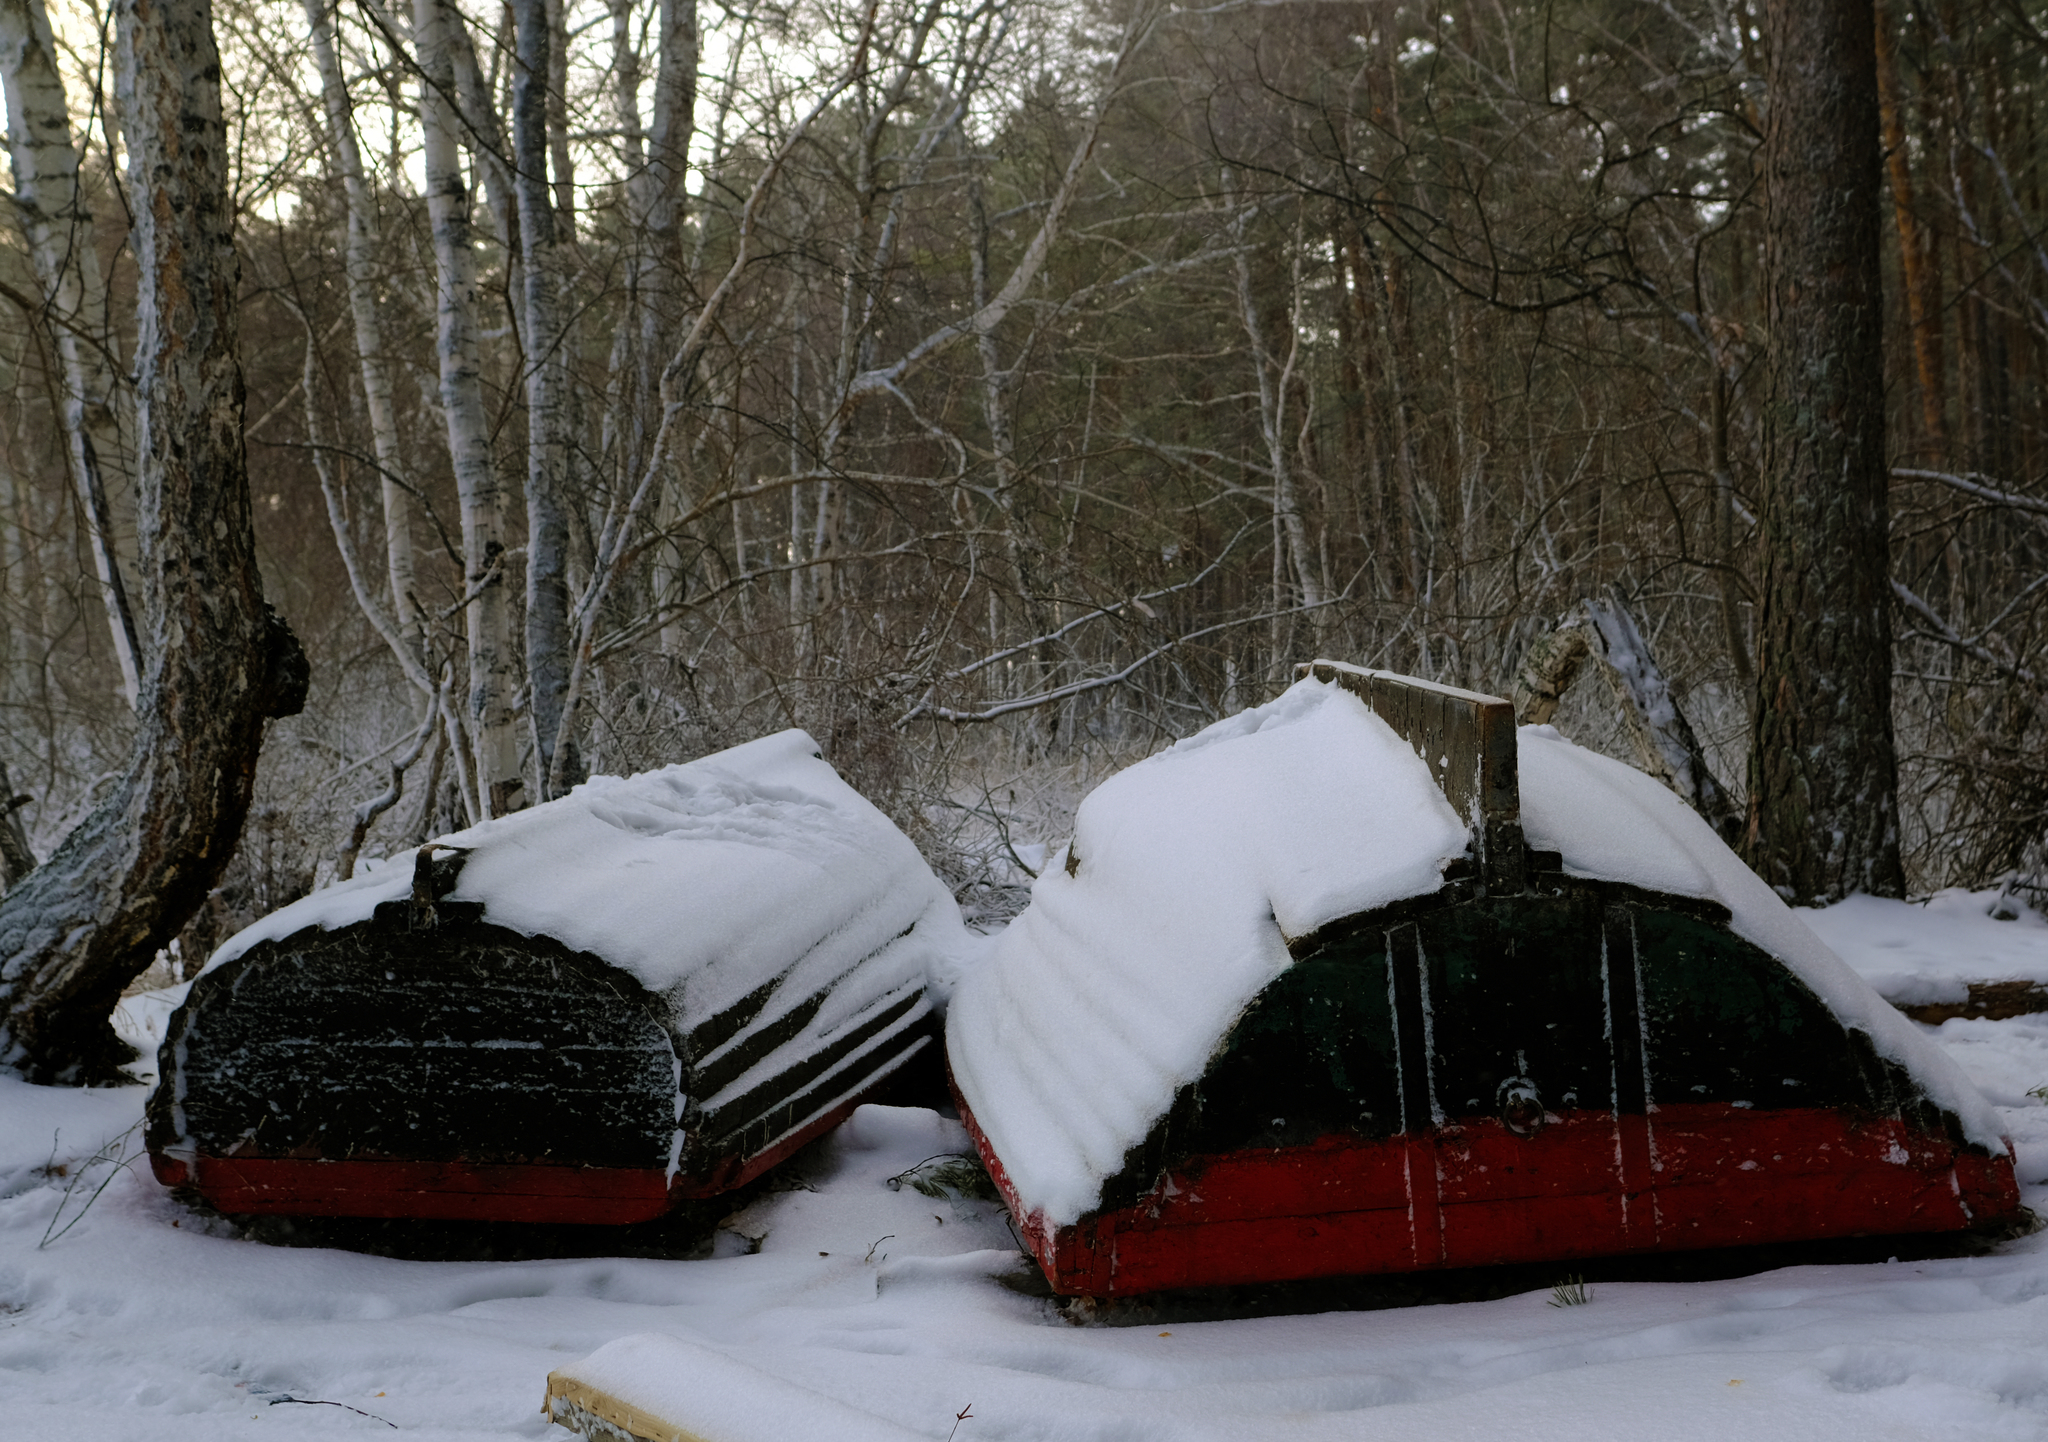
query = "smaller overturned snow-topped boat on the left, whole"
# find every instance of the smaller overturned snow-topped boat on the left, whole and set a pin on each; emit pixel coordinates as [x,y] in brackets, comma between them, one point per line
[648,990]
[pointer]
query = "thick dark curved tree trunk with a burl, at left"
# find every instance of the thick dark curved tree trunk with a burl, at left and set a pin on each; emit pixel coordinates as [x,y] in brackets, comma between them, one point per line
[218,661]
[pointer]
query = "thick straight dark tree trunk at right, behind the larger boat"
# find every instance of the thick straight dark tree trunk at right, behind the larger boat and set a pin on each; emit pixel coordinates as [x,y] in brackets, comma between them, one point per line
[1824,794]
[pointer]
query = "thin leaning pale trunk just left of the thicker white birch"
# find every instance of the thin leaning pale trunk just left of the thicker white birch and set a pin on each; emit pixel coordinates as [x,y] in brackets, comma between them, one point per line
[361,271]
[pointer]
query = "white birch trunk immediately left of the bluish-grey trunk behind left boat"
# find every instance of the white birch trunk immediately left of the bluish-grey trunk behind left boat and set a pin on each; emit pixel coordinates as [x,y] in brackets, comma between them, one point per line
[493,669]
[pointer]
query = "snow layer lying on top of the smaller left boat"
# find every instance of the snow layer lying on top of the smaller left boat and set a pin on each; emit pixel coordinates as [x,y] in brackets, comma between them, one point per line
[701,880]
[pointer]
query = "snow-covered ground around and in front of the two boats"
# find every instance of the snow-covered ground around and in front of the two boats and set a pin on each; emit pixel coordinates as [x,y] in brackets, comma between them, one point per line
[144,1322]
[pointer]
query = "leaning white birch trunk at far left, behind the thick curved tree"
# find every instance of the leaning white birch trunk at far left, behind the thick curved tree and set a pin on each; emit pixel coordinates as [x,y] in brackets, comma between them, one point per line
[67,267]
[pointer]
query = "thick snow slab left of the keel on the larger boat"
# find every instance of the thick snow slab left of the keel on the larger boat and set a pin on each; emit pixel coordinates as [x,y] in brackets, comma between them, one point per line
[1170,913]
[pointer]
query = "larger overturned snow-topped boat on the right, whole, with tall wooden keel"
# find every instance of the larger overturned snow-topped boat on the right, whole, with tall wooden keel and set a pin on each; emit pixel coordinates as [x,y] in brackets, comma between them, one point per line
[1369,982]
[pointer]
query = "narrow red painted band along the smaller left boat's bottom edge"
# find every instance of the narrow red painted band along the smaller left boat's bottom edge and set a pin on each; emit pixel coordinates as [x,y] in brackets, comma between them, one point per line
[458,1191]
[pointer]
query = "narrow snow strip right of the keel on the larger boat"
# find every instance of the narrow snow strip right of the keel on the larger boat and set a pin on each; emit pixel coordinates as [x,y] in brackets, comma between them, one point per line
[1617,824]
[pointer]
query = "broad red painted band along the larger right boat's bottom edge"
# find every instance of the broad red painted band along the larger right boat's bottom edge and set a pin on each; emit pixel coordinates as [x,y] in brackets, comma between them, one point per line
[1478,1195]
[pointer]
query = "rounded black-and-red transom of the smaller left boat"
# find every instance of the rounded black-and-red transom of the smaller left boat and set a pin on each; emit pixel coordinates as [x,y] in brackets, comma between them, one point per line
[382,1072]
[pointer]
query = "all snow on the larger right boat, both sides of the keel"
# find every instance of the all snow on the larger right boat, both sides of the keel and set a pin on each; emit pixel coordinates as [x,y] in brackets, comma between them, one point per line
[1191,872]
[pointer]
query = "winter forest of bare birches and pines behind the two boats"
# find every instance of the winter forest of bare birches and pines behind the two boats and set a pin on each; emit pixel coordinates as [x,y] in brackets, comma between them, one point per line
[1000,390]
